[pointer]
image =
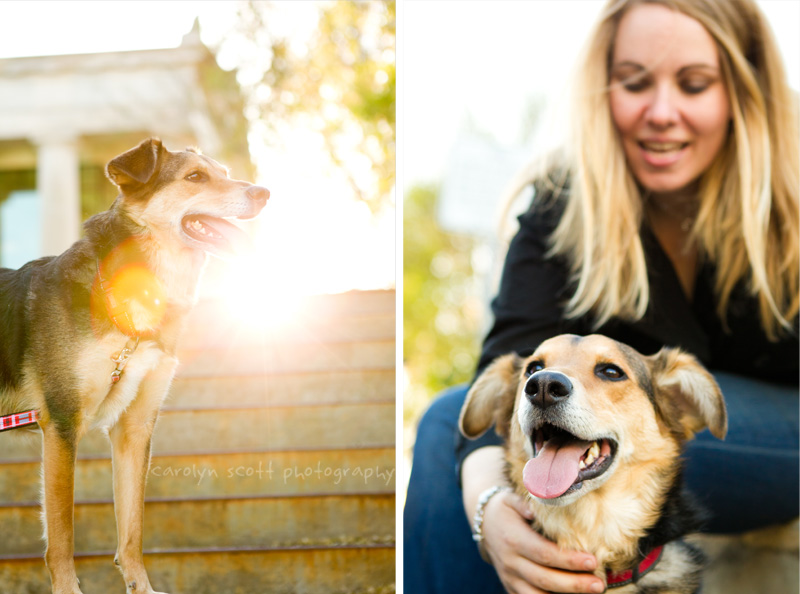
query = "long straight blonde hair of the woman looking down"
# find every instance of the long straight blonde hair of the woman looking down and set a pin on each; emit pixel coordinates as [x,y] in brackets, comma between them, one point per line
[747,223]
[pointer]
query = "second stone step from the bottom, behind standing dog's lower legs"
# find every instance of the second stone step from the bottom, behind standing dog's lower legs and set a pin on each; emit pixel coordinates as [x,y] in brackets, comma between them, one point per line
[362,518]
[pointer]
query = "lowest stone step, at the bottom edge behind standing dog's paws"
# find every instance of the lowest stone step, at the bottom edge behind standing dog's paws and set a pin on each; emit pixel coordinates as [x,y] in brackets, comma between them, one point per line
[307,570]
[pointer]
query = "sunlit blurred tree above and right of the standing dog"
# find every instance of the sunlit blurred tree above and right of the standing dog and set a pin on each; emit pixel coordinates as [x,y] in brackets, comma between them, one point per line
[339,83]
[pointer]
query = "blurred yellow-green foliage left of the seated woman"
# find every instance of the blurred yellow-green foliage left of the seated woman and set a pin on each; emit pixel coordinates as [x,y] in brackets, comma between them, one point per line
[442,309]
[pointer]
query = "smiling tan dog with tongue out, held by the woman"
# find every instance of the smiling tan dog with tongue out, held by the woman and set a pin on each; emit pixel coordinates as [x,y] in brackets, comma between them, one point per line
[593,435]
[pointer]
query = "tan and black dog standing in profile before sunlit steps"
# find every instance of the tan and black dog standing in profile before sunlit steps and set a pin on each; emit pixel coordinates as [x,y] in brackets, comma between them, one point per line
[88,338]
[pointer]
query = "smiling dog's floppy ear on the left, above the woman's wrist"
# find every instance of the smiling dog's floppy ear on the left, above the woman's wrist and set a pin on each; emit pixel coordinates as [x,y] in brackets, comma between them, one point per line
[490,400]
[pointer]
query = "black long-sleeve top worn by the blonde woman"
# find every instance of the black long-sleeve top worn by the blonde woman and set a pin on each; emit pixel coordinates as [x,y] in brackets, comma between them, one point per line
[529,308]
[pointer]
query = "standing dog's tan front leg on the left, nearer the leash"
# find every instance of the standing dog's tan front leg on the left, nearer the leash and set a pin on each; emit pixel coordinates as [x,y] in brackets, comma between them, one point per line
[59,452]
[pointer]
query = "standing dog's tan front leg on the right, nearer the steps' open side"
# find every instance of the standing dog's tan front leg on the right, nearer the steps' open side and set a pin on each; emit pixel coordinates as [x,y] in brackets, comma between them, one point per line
[130,438]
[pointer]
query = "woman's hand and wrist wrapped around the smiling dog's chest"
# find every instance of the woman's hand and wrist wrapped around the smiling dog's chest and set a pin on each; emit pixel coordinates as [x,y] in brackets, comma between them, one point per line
[525,561]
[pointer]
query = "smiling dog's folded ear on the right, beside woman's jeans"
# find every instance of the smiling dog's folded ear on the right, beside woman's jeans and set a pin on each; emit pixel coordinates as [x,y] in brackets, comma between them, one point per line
[687,395]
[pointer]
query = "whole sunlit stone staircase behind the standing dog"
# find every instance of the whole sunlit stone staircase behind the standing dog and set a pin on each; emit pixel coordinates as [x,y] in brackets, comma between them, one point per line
[273,467]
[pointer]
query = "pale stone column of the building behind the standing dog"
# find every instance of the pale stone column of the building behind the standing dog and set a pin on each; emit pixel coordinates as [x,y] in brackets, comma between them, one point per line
[58,186]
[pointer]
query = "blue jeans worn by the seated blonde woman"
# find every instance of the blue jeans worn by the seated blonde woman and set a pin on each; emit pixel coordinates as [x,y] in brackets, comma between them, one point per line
[748,481]
